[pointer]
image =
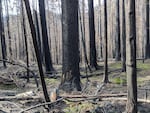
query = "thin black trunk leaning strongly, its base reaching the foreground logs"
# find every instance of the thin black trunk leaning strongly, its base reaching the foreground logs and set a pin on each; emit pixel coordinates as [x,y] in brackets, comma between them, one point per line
[37,52]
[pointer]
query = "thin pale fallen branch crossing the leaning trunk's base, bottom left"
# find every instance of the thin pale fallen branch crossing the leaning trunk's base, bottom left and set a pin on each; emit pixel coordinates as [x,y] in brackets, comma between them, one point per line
[42,104]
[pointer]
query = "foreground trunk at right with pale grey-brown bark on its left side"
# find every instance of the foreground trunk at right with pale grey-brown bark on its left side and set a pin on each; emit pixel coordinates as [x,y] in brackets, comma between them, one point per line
[131,61]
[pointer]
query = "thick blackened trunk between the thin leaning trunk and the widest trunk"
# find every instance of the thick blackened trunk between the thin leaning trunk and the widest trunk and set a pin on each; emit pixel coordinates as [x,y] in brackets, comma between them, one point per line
[47,54]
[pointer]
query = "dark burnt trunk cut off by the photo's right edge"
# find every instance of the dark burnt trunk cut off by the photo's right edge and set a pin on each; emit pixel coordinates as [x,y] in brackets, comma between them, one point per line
[147,42]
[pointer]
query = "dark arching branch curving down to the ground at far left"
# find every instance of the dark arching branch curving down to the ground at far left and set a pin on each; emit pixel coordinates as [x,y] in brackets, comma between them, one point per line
[13,63]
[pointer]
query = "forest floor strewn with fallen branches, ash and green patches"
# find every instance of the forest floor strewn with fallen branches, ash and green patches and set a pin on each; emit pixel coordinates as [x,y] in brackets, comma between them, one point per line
[16,95]
